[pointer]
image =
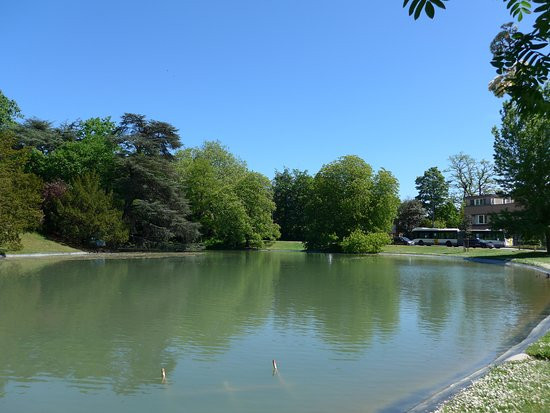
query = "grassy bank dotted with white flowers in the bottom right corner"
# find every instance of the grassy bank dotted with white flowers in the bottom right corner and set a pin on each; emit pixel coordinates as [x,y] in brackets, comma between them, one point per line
[516,386]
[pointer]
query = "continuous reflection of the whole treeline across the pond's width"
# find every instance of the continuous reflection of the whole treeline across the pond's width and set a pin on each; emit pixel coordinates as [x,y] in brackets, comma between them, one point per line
[113,322]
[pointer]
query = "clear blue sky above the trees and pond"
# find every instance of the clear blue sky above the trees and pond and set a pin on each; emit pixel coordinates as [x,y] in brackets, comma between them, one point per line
[281,83]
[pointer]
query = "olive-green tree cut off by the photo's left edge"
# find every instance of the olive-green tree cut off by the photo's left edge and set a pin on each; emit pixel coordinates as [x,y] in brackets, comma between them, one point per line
[19,195]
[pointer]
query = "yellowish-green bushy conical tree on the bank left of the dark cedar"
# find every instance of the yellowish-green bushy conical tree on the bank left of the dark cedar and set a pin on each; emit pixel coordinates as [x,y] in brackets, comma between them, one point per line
[86,212]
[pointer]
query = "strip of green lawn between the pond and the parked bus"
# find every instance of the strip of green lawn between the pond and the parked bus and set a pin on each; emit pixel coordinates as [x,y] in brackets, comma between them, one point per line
[538,258]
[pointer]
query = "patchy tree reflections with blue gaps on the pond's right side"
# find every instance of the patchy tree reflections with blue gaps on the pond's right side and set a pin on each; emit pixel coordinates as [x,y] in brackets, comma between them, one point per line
[479,297]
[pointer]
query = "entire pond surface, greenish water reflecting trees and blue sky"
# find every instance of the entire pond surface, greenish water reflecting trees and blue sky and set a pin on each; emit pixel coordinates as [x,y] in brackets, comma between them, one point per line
[349,334]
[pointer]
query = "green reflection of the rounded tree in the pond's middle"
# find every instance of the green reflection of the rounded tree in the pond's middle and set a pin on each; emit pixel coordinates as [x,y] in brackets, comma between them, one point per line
[349,301]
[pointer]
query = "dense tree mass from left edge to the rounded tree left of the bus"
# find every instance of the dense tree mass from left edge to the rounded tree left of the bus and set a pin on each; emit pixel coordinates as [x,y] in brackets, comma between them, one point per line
[131,184]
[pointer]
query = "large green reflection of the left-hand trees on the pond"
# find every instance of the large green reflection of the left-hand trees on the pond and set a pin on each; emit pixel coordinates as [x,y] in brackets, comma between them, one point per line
[116,322]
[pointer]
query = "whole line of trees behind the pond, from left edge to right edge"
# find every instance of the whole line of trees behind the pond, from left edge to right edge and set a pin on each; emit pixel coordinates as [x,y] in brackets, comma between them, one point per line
[131,184]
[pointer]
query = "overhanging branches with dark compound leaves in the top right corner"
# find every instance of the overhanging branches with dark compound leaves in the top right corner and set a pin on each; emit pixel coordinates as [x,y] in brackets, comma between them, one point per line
[521,59]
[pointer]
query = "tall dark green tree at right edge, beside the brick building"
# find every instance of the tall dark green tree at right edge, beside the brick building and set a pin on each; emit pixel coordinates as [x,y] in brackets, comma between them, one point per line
[522,160]
